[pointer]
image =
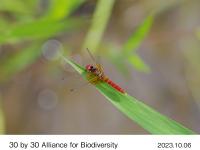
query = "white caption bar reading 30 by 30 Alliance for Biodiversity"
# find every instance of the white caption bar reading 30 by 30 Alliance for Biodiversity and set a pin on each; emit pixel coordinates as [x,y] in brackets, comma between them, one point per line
[99,142]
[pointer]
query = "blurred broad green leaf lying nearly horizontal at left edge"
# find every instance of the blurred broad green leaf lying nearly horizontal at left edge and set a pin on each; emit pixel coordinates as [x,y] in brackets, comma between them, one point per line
[38,30]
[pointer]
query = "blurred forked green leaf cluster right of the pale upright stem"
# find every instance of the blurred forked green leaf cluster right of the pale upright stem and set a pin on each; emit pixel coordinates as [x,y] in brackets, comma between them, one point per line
[127,54]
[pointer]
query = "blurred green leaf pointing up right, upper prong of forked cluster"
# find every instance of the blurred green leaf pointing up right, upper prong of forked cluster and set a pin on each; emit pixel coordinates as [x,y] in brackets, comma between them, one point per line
[138,36]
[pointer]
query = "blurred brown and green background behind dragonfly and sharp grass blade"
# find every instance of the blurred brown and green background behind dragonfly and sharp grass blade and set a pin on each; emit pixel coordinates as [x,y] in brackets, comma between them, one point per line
[150,48]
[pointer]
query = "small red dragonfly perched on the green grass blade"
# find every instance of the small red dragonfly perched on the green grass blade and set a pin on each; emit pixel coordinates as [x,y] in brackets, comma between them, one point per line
[95,74]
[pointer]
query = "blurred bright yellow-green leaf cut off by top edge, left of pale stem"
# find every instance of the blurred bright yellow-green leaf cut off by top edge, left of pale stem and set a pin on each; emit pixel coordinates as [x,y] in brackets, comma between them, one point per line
[59,9]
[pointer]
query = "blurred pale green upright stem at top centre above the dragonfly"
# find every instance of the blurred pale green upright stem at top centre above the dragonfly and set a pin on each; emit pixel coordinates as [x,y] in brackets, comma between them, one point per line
[99,23]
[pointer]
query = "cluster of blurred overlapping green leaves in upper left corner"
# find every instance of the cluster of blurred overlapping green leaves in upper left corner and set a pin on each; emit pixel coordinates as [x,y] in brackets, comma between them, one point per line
[38,30]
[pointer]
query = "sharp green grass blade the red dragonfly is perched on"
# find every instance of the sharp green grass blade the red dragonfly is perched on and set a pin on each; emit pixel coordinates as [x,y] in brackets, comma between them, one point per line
[145,116]
